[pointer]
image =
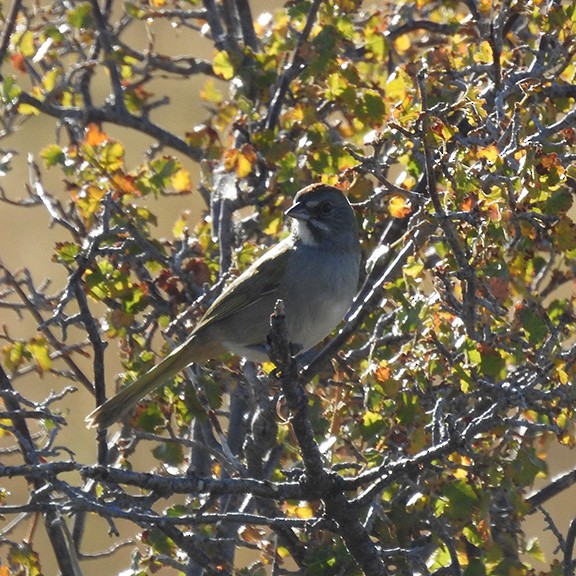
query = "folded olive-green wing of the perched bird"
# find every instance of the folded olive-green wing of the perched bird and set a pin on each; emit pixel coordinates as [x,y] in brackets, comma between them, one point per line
[261,279]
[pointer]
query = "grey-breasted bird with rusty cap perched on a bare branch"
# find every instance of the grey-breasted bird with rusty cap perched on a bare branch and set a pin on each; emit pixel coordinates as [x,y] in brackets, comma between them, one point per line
[314,271]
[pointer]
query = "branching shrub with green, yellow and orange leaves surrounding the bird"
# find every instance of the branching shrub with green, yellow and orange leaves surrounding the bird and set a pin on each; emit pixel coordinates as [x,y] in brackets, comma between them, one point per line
[411,441]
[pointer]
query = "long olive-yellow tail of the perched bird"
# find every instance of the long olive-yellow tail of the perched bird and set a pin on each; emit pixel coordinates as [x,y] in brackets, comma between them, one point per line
[114,408]
